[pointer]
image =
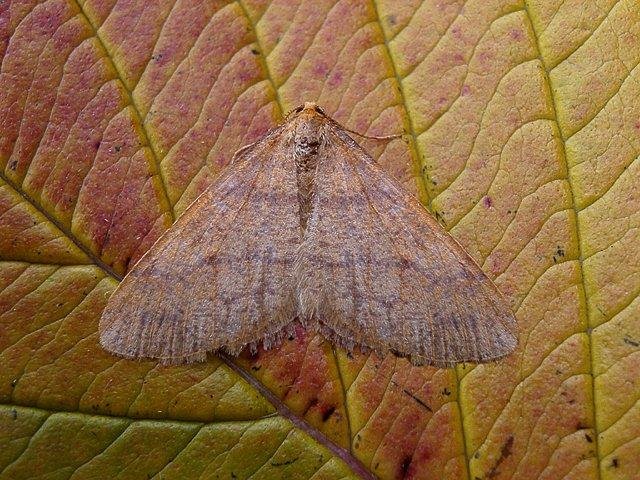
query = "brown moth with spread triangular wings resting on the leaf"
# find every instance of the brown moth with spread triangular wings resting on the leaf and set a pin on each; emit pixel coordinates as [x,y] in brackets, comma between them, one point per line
[305,228]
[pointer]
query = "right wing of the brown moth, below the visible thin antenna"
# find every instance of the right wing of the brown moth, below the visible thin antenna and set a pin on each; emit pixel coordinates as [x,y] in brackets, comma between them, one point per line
[376,269]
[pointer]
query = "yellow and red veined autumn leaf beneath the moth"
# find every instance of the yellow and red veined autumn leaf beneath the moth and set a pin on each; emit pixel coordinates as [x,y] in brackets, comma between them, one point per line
[524,141]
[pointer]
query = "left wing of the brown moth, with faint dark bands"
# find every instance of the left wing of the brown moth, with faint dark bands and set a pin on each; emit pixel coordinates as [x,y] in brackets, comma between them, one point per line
[221,277]
